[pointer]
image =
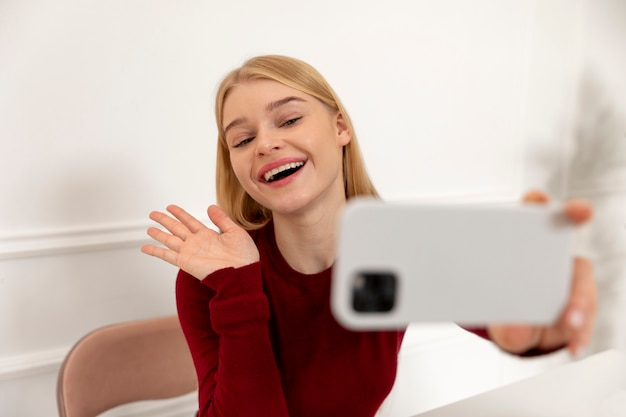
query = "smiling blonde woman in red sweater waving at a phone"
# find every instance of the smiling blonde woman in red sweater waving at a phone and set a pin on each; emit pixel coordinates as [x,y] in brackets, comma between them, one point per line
[253,300]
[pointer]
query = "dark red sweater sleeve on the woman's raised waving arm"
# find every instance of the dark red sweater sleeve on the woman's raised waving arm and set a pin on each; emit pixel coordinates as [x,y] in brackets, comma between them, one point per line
[225,321]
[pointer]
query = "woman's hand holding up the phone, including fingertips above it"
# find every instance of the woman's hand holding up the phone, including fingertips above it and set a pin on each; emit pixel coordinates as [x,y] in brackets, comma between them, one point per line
[575,324]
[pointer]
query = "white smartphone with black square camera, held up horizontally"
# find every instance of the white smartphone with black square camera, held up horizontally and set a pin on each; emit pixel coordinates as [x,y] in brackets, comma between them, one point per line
[471,264]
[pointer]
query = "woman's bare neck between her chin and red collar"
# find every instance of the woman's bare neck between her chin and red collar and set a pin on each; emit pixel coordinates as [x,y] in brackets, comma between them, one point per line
[308,242]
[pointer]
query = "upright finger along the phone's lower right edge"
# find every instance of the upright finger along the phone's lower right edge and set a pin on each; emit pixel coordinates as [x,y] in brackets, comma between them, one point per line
[581,309]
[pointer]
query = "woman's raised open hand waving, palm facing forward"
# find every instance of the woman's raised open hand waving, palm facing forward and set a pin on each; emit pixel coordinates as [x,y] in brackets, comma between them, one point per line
[196,249]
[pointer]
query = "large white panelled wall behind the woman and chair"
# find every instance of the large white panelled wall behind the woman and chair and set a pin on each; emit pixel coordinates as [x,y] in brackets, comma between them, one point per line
[106,114]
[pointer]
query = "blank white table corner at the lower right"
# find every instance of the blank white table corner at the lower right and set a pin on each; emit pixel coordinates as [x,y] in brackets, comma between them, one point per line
[592,387]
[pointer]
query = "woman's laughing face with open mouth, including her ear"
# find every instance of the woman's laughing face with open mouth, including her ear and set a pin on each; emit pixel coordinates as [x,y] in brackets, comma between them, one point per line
[285,146]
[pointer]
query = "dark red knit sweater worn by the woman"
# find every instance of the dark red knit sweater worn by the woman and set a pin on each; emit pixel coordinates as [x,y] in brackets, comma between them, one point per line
[264,343]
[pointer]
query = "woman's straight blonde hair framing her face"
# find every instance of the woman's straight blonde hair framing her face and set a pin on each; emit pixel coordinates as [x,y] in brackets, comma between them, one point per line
[231,196]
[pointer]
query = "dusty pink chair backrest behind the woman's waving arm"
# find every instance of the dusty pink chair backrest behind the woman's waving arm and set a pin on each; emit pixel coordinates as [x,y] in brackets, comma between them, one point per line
[123,363]
